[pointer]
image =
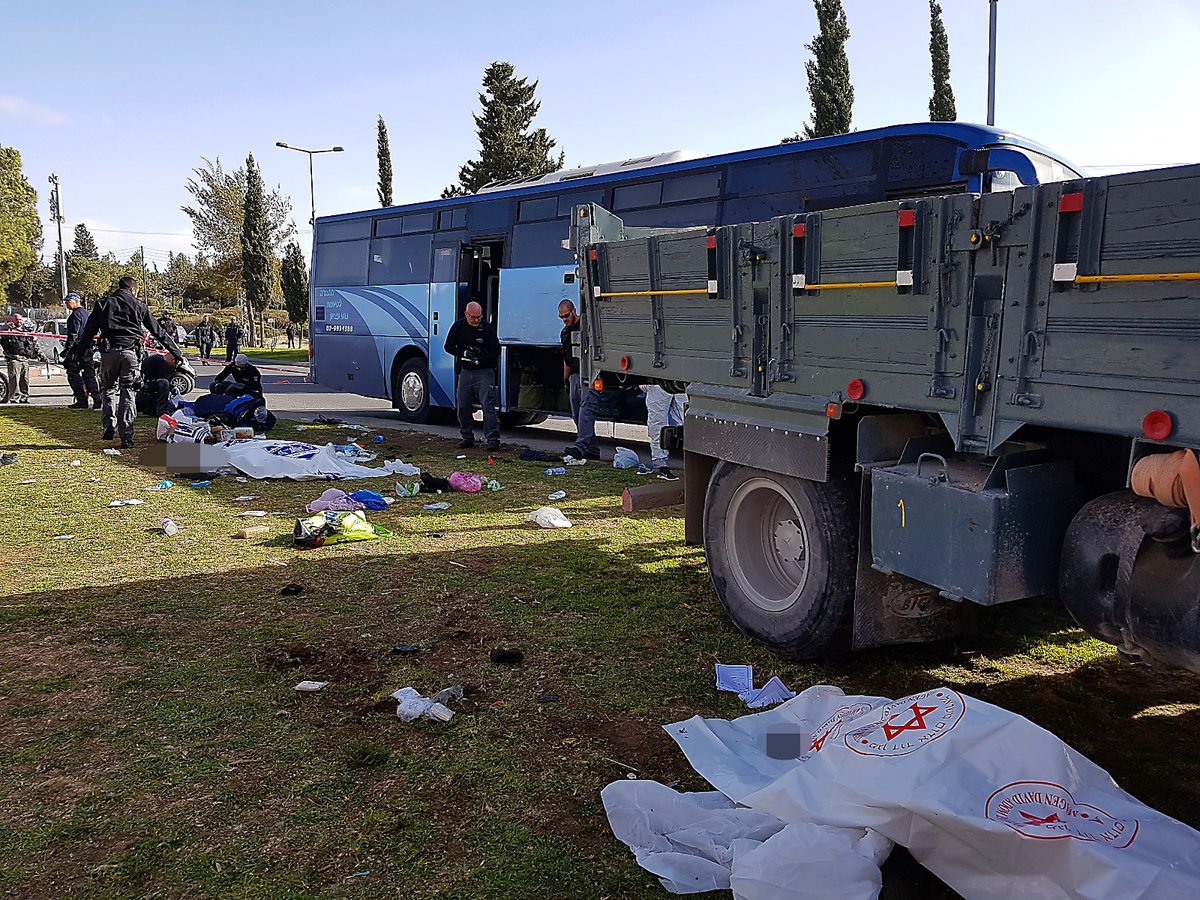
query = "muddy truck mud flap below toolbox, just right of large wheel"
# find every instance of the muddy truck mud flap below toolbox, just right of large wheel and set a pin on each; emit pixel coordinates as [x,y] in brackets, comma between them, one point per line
[892,609]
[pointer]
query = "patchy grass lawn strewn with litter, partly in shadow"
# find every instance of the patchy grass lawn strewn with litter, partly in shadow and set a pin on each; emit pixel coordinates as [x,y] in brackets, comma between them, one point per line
[152,742]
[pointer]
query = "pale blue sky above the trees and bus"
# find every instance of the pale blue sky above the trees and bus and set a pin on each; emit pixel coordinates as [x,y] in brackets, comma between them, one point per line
[123,100]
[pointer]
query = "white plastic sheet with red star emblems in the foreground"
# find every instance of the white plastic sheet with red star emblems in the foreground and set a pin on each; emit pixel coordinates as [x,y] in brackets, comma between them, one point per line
[993,805]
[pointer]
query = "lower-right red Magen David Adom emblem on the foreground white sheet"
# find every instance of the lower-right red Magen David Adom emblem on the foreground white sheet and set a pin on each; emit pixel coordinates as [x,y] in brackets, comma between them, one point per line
[1043,811]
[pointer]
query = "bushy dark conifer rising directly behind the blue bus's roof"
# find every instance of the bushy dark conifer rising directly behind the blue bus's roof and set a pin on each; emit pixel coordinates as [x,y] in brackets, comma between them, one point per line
[507,147]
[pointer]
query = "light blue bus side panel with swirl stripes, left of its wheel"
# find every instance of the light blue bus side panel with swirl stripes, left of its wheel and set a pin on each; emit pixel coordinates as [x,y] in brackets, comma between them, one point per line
[359,331]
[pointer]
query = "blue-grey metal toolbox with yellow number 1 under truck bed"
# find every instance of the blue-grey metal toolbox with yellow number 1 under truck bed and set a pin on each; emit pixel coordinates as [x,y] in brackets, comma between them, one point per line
[983,531]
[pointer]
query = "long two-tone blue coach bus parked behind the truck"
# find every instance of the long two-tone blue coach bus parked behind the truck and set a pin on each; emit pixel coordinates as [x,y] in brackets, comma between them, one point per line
[388,284]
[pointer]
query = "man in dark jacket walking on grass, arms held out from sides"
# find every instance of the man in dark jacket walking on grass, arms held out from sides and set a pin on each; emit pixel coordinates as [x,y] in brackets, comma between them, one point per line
[121,319]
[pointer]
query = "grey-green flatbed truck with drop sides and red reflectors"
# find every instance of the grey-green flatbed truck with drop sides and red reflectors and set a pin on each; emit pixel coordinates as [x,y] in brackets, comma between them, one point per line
[907,411]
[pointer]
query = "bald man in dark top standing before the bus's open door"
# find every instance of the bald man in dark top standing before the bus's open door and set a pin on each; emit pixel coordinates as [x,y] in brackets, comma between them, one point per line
[477,355]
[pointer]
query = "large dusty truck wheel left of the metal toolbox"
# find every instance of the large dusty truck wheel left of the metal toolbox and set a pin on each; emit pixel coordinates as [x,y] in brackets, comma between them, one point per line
[782,555]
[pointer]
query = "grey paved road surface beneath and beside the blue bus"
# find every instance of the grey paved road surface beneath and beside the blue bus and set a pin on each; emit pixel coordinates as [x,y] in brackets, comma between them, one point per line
[291,398]
